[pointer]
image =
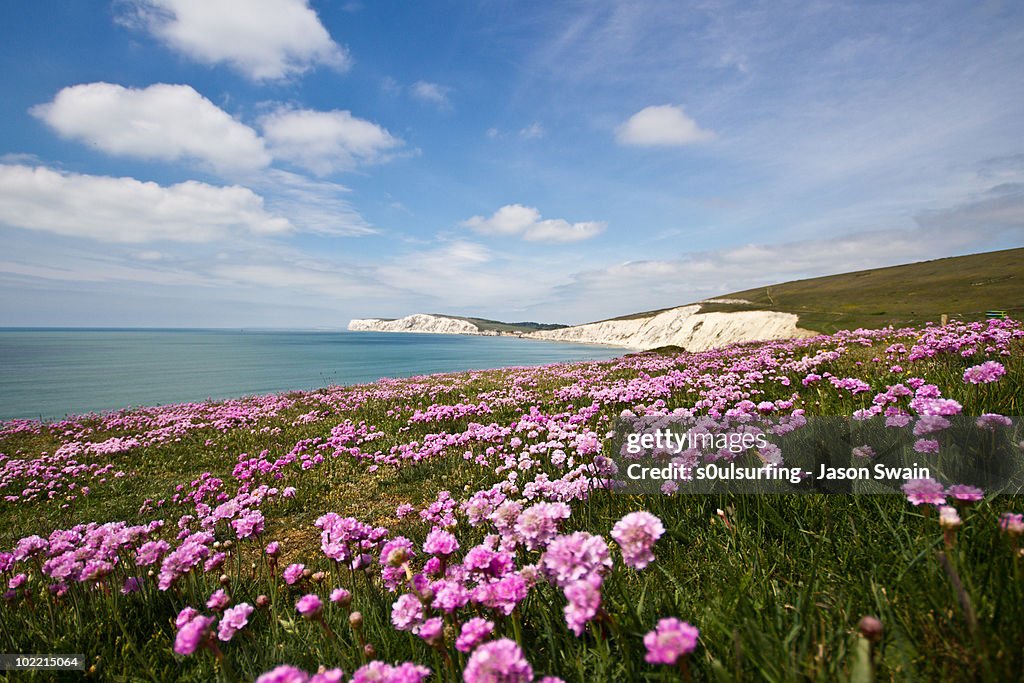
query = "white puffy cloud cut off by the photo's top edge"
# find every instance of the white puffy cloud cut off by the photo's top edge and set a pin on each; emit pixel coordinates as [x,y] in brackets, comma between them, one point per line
[266,40]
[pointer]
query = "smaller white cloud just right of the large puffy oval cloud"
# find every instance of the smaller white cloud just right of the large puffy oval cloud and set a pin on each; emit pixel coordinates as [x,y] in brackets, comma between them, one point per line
[326,142]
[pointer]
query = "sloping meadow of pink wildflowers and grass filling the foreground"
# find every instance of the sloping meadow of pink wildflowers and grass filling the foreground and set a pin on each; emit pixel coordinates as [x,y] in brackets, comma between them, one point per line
[468,528]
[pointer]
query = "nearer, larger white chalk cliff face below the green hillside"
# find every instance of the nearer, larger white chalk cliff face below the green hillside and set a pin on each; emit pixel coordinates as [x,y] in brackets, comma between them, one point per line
[685,327]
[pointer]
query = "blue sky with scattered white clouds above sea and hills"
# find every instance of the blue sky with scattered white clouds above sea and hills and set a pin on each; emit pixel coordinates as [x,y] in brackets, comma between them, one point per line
[284,163]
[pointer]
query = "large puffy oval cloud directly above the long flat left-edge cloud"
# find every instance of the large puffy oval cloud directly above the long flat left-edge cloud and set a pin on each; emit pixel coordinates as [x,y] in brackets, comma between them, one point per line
[162,122]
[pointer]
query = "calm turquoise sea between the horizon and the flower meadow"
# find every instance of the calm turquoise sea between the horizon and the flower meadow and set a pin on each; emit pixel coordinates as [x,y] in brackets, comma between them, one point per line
[53,373]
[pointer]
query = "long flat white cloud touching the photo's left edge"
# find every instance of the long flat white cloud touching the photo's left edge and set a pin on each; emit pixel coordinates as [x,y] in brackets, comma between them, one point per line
[127,210]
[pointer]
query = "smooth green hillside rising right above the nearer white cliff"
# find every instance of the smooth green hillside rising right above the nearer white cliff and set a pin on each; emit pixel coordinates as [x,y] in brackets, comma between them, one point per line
[964,287]
